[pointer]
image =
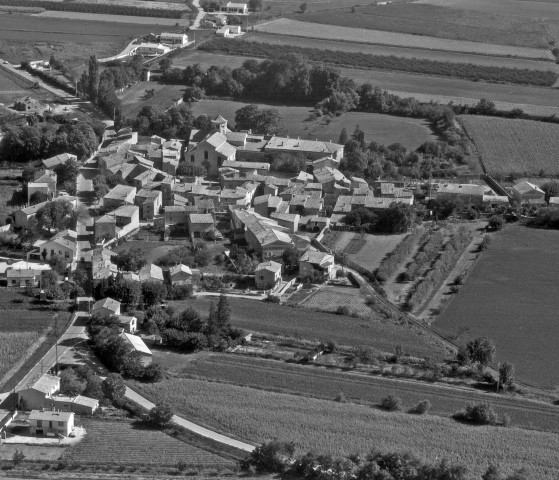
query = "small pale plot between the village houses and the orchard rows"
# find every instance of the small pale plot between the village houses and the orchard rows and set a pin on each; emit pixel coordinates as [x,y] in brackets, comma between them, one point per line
[371,249]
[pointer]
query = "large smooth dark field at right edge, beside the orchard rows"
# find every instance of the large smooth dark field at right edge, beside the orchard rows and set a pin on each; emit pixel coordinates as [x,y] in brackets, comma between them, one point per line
[511,297]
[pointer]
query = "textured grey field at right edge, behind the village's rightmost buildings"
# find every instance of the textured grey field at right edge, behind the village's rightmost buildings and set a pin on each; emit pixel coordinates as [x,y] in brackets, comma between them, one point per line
[522,147]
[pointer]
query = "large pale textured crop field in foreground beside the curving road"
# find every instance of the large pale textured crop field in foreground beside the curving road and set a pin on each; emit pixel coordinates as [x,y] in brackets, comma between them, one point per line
[335,428]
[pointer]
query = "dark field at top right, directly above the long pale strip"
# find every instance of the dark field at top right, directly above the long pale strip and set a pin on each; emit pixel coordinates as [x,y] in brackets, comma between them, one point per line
[438,21]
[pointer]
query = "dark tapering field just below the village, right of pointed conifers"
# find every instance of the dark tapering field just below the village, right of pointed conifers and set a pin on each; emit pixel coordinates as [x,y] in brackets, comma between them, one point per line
[268,318]
